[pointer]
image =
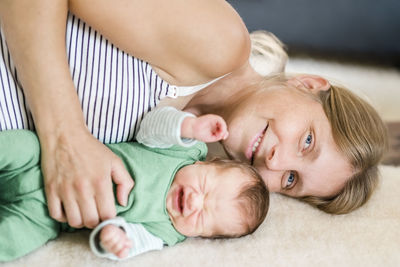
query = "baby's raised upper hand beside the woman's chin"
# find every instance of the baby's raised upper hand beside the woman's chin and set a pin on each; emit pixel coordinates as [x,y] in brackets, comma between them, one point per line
[207,128]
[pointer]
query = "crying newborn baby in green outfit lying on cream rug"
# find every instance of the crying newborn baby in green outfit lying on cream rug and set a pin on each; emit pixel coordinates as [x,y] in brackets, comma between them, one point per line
[175,195]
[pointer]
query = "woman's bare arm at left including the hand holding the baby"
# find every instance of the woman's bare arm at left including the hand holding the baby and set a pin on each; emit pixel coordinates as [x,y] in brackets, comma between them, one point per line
[77,168]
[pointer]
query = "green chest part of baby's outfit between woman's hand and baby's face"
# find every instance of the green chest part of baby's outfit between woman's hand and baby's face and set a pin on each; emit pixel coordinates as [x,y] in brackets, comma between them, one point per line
[153,170]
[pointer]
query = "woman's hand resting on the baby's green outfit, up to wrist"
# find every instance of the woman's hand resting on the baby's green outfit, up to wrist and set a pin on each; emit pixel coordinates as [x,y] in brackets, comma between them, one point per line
[79,171]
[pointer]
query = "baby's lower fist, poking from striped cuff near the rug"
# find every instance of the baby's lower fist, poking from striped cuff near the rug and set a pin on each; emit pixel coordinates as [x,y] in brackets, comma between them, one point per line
[114,240]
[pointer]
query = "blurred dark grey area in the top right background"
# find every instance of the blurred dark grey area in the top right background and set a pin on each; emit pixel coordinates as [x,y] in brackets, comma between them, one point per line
[360,29]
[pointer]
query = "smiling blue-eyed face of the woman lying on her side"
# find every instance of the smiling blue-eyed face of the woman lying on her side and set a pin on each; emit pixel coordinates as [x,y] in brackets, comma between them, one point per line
[285,134]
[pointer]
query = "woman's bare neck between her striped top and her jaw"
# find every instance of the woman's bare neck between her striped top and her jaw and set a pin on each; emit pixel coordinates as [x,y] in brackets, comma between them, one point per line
[217,96]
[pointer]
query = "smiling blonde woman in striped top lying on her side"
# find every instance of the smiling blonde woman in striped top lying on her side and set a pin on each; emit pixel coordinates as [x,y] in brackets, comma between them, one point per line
[308,139]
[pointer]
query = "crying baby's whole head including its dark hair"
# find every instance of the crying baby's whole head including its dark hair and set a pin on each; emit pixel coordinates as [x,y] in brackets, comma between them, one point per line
[219,198]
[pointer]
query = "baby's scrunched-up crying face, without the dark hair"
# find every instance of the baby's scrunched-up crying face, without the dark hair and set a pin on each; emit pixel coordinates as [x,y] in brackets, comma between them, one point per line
[202,200]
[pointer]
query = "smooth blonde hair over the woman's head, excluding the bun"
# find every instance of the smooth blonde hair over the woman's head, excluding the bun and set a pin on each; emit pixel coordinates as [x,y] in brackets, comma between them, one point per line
[361,136]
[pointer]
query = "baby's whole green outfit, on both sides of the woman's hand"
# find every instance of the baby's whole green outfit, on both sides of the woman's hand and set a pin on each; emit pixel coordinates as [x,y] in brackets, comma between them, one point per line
[24,220]
